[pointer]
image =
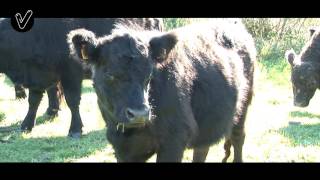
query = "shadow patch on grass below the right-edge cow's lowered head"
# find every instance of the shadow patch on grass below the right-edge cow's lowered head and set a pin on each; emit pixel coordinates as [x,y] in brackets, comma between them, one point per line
[302,134]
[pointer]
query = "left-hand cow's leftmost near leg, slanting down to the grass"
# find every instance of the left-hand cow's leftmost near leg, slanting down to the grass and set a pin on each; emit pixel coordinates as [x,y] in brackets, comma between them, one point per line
[34,100]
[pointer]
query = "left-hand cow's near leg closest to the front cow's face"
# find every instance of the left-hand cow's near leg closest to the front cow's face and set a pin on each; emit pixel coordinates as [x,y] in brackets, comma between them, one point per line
[72,92]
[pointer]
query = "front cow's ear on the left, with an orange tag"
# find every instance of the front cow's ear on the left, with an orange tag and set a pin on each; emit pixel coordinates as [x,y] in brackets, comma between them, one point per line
[83,44]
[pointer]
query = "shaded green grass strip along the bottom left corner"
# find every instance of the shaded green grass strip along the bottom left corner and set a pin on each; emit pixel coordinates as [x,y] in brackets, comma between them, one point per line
[50,149]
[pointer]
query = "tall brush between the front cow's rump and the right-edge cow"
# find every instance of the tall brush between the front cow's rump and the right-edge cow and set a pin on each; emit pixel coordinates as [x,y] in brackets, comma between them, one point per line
[273,36]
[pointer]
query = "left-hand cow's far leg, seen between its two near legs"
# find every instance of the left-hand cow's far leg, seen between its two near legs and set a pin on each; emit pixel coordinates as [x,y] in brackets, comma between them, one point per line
[54,102]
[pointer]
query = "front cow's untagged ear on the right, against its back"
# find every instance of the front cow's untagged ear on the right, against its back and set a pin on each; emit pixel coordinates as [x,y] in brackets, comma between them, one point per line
[161,46]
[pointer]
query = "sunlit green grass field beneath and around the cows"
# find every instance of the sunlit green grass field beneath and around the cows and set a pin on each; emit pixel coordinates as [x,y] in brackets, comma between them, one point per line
[276,130]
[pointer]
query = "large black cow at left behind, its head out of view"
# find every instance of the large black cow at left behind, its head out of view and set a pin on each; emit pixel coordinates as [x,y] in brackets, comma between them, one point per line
[39,59]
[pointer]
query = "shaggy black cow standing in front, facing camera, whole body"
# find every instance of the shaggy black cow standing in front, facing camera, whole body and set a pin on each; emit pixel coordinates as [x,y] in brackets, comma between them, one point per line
[163,92]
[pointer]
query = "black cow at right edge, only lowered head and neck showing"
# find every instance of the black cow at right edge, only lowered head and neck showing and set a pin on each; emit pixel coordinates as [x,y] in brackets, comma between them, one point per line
[305,69]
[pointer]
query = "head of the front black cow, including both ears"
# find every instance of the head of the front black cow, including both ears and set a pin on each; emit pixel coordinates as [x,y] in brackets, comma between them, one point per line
[123,66]
